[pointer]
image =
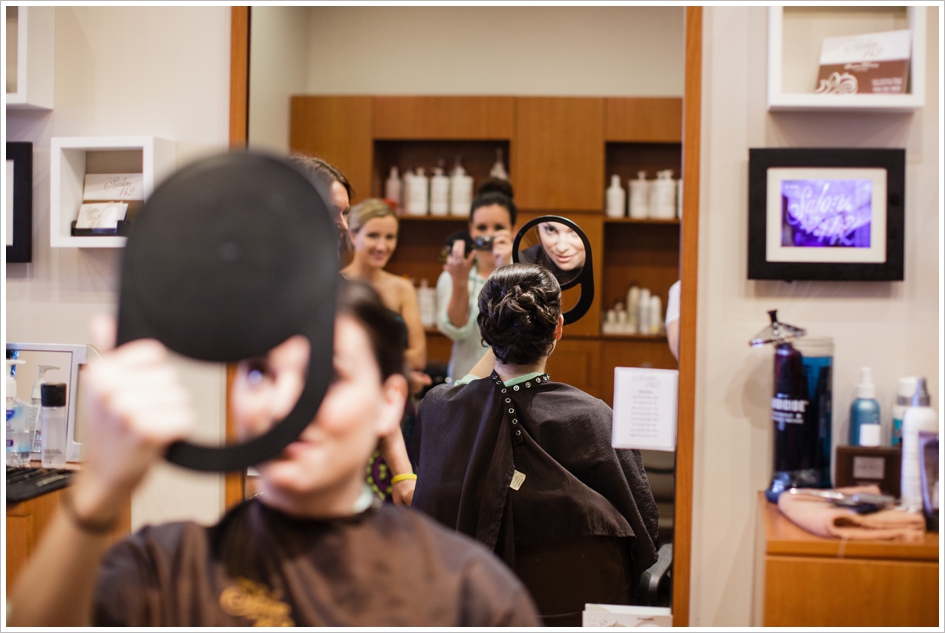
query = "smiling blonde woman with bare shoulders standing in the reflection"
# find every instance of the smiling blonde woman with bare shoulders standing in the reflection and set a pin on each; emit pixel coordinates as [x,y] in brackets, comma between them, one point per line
[372,232]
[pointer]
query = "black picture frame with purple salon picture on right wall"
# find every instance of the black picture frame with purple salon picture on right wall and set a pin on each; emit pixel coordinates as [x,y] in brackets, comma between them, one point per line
[770,219]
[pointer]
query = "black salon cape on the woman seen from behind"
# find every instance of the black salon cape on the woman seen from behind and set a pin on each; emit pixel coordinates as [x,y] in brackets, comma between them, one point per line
[466,449]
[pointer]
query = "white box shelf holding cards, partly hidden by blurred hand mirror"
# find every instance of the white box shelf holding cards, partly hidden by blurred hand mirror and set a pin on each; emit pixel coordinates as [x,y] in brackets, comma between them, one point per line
[71,158]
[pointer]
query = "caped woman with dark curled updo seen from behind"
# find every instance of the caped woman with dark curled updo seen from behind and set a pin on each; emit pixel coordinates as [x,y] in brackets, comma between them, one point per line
[525,465]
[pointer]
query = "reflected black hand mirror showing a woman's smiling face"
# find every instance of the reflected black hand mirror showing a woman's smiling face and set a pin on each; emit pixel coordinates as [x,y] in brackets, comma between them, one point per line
[561,246]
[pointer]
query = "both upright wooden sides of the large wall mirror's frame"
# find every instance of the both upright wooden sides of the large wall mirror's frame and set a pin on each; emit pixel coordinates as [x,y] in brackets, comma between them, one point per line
[689,274]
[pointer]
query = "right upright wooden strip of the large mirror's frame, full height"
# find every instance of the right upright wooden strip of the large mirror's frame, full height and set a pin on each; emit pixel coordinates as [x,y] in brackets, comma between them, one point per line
[689,275]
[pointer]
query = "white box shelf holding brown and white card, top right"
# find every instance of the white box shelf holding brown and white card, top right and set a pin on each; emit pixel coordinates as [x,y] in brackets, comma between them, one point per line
[795,36]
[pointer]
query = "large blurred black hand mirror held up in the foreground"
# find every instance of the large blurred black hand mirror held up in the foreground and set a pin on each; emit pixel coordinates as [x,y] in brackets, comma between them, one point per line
[228,258]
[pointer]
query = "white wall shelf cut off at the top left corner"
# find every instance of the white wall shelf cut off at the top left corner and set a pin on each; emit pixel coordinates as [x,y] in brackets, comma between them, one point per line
[30,41]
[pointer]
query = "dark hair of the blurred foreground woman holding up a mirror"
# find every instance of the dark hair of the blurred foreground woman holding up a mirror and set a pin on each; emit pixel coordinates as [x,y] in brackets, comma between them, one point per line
[384,328]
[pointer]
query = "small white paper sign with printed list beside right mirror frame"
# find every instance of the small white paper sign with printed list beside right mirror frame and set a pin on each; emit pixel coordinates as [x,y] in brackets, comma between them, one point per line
[645,408]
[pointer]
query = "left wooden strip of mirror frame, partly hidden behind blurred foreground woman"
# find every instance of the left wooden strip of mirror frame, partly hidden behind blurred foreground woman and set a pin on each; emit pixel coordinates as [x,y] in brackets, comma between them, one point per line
[235,482]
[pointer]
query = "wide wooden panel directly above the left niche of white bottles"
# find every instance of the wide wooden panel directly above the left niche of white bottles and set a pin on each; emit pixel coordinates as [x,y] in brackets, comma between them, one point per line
[443,118]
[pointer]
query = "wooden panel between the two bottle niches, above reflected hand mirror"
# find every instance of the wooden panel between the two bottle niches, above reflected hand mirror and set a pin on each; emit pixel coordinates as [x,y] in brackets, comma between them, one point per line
[557,158]
